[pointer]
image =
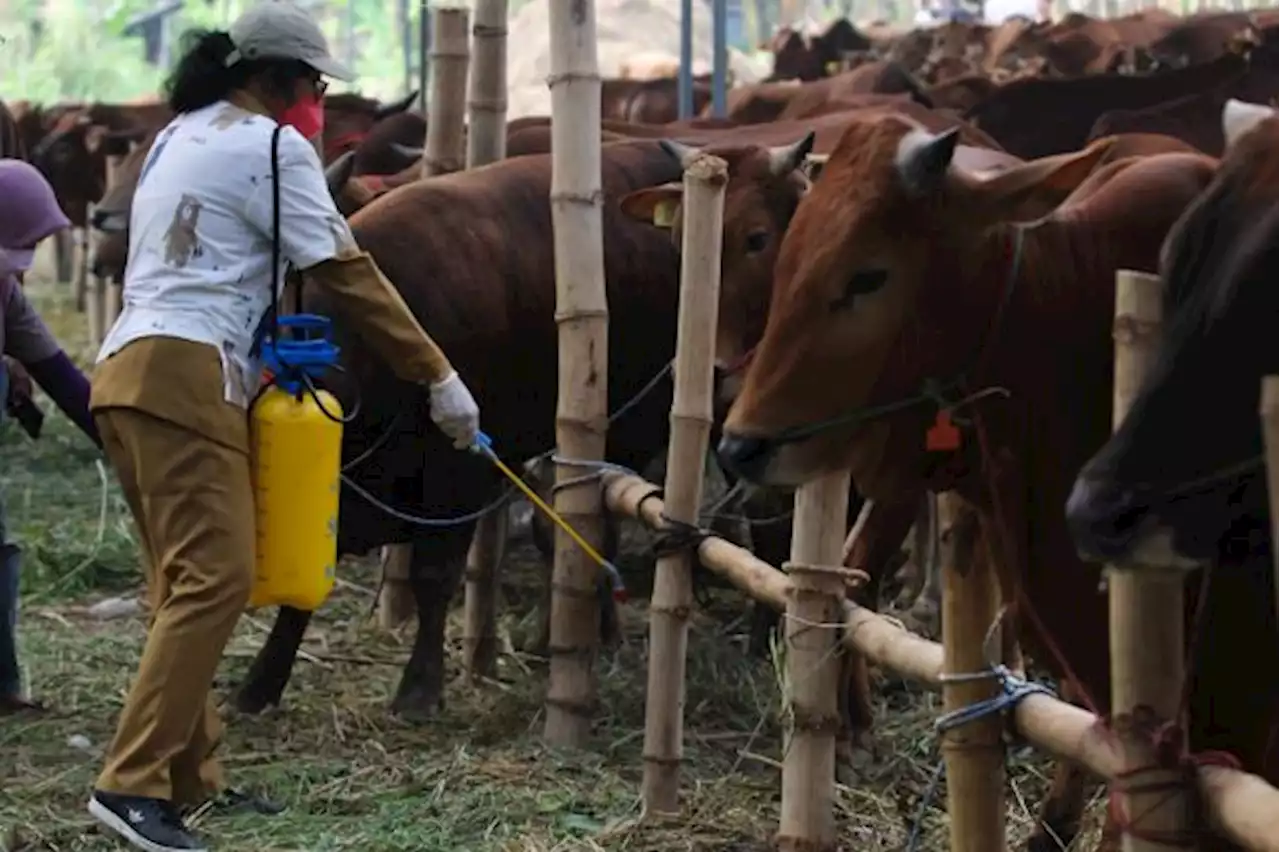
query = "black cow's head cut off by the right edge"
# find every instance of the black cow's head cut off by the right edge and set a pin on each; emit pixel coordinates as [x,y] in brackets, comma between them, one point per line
[1154,483]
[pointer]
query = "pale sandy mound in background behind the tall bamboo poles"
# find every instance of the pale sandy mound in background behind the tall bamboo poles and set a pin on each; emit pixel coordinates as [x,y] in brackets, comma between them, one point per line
[624,29]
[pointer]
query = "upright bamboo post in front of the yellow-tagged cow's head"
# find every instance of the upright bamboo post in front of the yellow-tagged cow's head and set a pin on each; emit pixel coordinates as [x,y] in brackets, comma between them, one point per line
[691,433]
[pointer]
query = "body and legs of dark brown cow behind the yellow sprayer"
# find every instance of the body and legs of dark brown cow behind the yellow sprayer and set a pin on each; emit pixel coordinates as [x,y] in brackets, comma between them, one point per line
[447,245]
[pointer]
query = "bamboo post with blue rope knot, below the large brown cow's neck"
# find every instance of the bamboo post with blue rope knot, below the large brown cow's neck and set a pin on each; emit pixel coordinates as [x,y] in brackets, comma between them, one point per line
[975,752]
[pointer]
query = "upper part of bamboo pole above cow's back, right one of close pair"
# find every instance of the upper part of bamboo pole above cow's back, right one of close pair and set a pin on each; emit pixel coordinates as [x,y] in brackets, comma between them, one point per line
[487,100]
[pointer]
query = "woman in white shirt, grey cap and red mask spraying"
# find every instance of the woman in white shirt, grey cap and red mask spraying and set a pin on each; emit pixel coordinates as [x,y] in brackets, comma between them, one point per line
[180,369]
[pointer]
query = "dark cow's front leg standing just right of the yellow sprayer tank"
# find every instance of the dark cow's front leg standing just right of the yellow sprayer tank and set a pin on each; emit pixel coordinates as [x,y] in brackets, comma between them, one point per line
[436,572]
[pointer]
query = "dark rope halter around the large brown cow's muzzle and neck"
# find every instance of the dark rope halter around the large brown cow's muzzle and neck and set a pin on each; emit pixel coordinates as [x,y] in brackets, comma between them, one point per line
[931,391]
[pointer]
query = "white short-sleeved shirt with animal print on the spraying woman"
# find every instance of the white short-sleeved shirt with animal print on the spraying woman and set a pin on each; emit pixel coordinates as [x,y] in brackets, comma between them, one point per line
[200,236]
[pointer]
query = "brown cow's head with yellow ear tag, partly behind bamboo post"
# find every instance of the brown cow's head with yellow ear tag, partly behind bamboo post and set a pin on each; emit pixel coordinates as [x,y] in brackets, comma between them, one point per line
[765,187]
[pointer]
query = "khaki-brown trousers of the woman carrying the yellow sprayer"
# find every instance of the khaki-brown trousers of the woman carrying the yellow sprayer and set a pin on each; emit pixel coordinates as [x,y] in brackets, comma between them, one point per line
[193,501]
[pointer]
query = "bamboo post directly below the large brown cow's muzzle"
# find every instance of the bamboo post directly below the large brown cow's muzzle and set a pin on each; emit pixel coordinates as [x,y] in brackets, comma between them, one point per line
[813,666]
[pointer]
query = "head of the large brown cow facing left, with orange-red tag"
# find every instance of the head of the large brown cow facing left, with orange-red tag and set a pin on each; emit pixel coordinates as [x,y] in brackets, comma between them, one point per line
[890,269]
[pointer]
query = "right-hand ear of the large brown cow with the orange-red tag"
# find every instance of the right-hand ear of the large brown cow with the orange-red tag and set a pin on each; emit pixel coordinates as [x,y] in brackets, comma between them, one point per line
[1052,180]
